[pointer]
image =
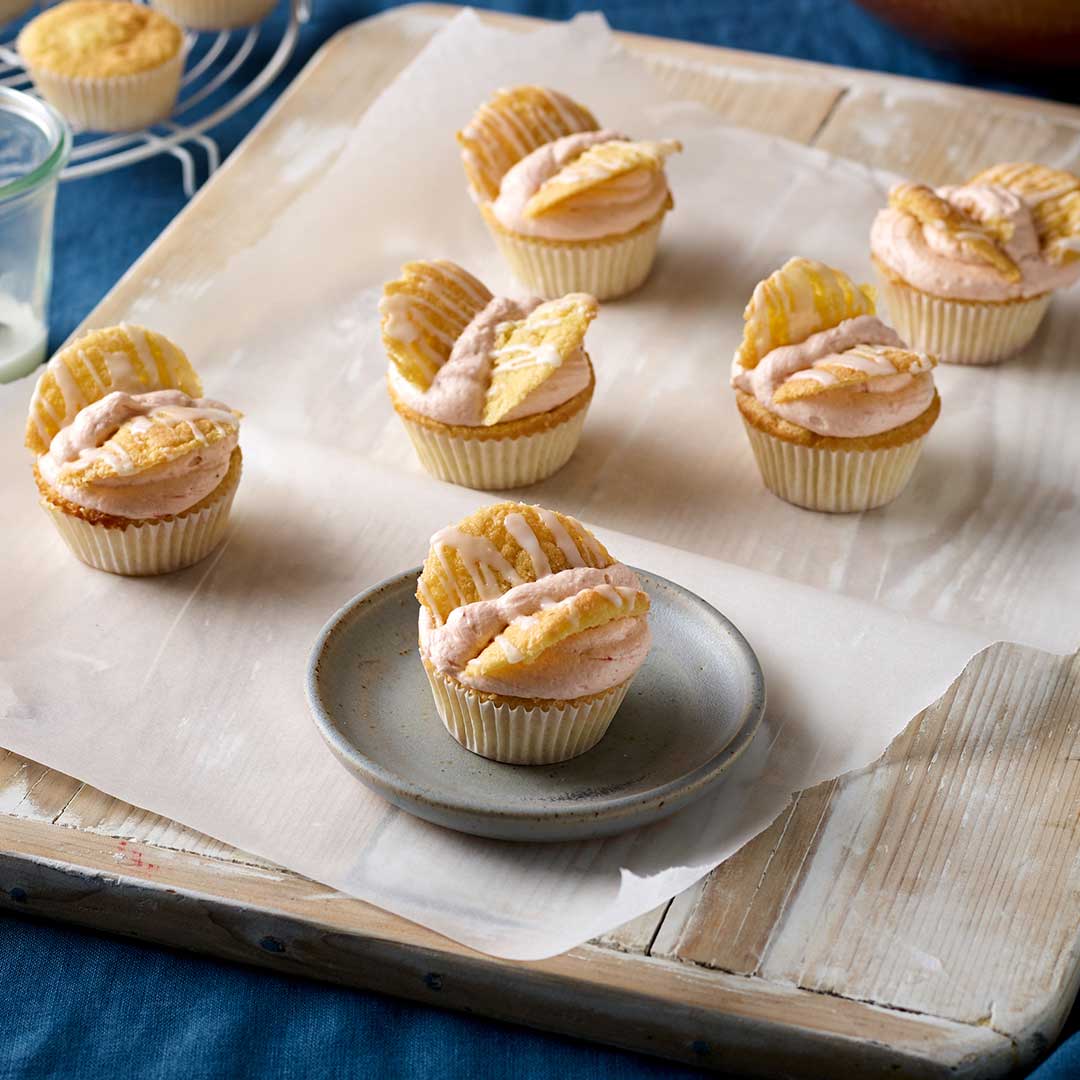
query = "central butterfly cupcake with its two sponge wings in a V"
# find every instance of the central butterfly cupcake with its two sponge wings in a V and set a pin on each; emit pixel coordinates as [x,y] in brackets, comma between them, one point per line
[493,391]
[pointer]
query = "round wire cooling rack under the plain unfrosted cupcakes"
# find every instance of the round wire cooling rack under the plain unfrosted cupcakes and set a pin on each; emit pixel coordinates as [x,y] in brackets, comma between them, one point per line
[217,84]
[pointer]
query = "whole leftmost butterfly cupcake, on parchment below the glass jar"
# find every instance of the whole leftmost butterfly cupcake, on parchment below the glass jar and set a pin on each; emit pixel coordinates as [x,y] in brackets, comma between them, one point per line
[137,470]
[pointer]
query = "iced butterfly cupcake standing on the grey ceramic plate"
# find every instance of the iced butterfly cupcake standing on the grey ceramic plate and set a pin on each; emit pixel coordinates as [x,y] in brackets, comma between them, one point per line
[531,633]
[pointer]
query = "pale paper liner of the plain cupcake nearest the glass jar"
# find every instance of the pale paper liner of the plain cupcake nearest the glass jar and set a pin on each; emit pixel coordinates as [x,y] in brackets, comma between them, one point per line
[125,103]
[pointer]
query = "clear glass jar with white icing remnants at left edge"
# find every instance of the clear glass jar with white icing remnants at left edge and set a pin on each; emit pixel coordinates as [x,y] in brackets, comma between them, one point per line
[35,144]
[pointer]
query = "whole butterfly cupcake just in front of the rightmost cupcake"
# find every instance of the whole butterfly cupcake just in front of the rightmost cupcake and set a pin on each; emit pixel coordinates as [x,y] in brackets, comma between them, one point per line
[835,406]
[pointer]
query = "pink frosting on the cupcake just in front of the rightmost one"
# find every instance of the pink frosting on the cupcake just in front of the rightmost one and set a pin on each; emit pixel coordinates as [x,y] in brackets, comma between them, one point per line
[868,409]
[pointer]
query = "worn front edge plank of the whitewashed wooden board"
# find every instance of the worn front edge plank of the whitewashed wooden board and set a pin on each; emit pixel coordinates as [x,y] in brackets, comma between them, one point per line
[280,921]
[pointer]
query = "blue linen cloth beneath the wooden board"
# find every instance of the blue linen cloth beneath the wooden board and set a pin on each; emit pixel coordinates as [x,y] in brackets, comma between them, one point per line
[79,1005]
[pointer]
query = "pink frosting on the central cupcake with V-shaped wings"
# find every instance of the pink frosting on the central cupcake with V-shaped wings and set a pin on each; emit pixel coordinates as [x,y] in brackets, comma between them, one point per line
[457,394]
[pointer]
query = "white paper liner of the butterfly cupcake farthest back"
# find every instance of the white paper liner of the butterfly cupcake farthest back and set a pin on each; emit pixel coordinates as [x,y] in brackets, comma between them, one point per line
[605,269]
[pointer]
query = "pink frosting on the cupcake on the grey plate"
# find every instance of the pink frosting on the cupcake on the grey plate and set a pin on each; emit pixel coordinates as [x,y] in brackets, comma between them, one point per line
[586,664]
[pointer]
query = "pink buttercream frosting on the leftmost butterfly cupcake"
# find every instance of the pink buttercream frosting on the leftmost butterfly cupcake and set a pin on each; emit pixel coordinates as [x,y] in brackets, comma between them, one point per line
[165,490]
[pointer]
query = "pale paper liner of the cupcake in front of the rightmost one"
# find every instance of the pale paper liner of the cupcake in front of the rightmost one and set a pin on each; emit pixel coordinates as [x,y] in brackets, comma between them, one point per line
[833,481]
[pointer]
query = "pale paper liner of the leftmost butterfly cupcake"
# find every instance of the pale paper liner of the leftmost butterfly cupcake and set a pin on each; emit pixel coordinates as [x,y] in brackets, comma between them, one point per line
[152,548]
